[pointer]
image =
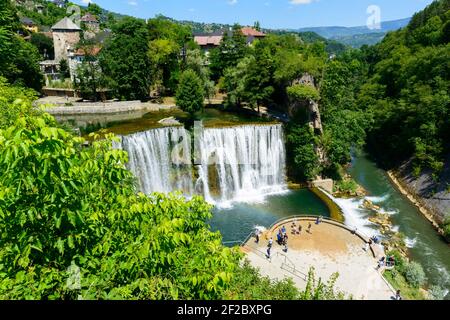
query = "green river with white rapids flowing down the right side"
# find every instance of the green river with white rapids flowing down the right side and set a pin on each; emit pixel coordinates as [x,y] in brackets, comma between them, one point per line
[425,245]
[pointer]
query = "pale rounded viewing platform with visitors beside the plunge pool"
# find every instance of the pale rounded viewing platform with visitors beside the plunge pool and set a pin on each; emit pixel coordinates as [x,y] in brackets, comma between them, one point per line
[328,247]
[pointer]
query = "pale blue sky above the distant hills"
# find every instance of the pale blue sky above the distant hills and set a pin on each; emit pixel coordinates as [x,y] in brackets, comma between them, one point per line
[270,13]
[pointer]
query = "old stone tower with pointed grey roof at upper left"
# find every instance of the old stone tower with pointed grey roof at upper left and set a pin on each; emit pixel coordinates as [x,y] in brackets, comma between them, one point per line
[66,35]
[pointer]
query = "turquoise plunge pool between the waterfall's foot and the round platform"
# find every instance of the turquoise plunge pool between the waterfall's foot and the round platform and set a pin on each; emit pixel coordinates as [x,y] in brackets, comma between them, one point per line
[237,222]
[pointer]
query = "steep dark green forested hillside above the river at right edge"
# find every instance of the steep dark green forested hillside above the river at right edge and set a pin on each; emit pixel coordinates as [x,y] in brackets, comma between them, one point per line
[408,92]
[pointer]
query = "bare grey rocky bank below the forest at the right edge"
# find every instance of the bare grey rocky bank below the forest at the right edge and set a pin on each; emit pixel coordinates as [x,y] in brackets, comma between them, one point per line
[431,195]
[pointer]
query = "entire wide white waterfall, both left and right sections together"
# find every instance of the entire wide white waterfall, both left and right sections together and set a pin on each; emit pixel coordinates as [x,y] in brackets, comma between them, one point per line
[243,163]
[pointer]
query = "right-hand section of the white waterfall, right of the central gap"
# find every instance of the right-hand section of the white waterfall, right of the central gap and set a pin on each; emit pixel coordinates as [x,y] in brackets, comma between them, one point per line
[241,163]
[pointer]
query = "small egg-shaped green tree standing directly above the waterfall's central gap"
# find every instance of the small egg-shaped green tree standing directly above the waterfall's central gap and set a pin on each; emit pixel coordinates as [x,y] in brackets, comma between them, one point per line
[190,94]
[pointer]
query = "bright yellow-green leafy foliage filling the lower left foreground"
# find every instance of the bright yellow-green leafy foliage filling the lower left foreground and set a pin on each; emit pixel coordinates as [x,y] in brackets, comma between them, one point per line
[73,225]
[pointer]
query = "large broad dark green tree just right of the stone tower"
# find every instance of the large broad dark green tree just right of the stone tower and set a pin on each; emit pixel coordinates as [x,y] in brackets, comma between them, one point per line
[124,60]
